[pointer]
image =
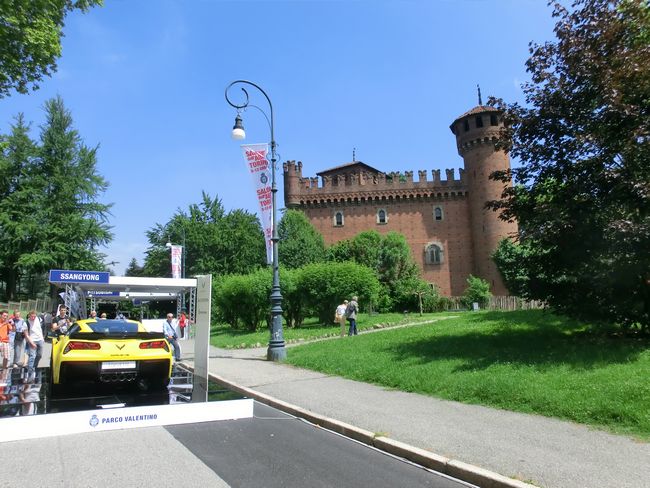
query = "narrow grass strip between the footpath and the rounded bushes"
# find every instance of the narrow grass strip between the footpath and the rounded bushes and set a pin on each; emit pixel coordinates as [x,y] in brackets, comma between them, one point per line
[226,336]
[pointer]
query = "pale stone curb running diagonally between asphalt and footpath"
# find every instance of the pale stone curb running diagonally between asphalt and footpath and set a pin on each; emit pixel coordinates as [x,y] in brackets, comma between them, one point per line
[452,467]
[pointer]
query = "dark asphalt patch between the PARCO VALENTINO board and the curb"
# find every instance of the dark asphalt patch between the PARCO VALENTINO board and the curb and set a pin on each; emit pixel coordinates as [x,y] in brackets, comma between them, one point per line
[275,450]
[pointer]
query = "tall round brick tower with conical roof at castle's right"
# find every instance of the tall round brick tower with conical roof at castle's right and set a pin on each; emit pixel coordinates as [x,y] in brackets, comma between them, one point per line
[476,132]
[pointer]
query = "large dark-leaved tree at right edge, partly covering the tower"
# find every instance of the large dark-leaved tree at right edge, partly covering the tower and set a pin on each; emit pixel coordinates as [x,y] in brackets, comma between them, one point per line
[582,193]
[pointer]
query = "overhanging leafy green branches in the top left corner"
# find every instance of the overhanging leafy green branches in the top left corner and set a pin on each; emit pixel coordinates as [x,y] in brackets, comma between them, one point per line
[30,36]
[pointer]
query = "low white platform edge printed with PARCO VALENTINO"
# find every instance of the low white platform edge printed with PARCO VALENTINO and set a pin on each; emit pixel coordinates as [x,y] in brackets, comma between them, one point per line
[56,424]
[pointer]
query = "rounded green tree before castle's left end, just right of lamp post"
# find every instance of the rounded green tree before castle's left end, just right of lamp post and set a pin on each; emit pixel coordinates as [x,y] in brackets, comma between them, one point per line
[300,242]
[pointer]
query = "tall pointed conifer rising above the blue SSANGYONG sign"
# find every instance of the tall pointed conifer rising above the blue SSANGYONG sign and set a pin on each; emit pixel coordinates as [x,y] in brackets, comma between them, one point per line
[71,224]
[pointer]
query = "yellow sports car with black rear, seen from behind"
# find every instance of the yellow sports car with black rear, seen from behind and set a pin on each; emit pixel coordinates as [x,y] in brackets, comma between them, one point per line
[110,351]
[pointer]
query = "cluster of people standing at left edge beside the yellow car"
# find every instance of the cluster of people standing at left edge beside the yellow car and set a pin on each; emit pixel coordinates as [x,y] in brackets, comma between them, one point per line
[19,337]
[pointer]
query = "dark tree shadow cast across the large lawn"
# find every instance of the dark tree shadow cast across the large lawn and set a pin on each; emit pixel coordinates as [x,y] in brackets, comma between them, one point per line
[541,340]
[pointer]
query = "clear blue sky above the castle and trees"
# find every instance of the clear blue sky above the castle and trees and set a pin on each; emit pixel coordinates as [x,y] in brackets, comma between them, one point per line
[145,81]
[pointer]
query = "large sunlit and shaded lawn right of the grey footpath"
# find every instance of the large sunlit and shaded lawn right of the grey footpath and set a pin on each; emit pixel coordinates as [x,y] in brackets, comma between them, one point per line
[531,362]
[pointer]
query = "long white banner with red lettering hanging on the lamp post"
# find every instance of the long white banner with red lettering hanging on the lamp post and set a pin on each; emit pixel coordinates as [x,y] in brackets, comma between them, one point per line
[260,169]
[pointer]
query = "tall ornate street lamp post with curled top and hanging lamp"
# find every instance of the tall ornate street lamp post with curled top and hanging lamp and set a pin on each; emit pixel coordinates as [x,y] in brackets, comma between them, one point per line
[276,350]
